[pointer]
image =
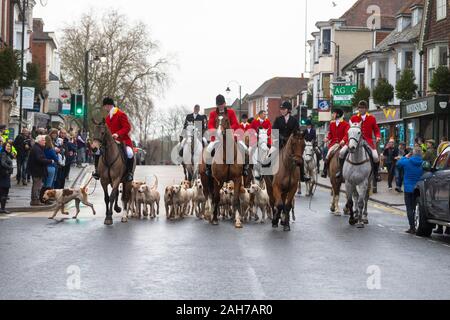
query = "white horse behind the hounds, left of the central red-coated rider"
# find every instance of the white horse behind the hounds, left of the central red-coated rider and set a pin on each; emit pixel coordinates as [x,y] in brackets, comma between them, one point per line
[192,151]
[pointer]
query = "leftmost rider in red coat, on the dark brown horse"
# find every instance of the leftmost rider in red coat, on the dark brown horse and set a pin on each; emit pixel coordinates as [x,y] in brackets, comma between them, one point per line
[120,127]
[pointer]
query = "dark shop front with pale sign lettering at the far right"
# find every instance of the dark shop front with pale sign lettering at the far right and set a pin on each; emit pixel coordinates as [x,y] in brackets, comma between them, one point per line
[427,118]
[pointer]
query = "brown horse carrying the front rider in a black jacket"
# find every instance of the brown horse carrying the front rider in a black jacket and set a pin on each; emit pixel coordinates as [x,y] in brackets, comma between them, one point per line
[283,185]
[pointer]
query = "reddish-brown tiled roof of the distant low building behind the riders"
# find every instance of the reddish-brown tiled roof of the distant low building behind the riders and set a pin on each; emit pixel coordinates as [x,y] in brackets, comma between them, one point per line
[284,87]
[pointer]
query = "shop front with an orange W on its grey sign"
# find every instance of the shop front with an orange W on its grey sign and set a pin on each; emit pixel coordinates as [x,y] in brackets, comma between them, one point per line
[391,125]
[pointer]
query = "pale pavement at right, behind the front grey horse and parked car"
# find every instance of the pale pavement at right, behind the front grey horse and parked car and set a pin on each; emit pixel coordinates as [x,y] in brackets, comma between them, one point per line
[384,196]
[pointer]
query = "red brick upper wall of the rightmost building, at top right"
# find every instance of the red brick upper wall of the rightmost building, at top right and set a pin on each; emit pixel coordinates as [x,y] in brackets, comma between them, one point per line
[437,31]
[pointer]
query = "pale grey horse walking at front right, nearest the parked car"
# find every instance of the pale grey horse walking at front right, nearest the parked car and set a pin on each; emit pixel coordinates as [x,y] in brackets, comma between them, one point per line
[357,174]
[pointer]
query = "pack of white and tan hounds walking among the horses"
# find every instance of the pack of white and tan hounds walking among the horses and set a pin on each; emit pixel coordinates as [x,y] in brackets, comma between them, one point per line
[180,201]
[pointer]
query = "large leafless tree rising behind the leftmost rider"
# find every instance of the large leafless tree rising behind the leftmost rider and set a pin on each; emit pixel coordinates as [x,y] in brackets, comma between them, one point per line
[131,59]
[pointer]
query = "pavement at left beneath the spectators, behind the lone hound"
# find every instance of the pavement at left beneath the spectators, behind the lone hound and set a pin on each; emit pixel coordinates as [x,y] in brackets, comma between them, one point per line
[20,196]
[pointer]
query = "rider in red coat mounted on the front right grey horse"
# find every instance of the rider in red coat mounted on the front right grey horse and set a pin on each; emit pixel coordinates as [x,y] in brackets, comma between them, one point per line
[369,128]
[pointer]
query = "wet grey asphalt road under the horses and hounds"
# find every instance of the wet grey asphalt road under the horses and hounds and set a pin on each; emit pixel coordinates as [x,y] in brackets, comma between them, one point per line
[322,258]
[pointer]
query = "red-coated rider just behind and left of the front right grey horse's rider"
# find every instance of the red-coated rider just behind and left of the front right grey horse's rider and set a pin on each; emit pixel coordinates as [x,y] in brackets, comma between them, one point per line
[337,137]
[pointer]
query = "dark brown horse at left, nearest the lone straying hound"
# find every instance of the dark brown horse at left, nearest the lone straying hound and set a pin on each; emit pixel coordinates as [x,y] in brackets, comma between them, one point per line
[112,170]
